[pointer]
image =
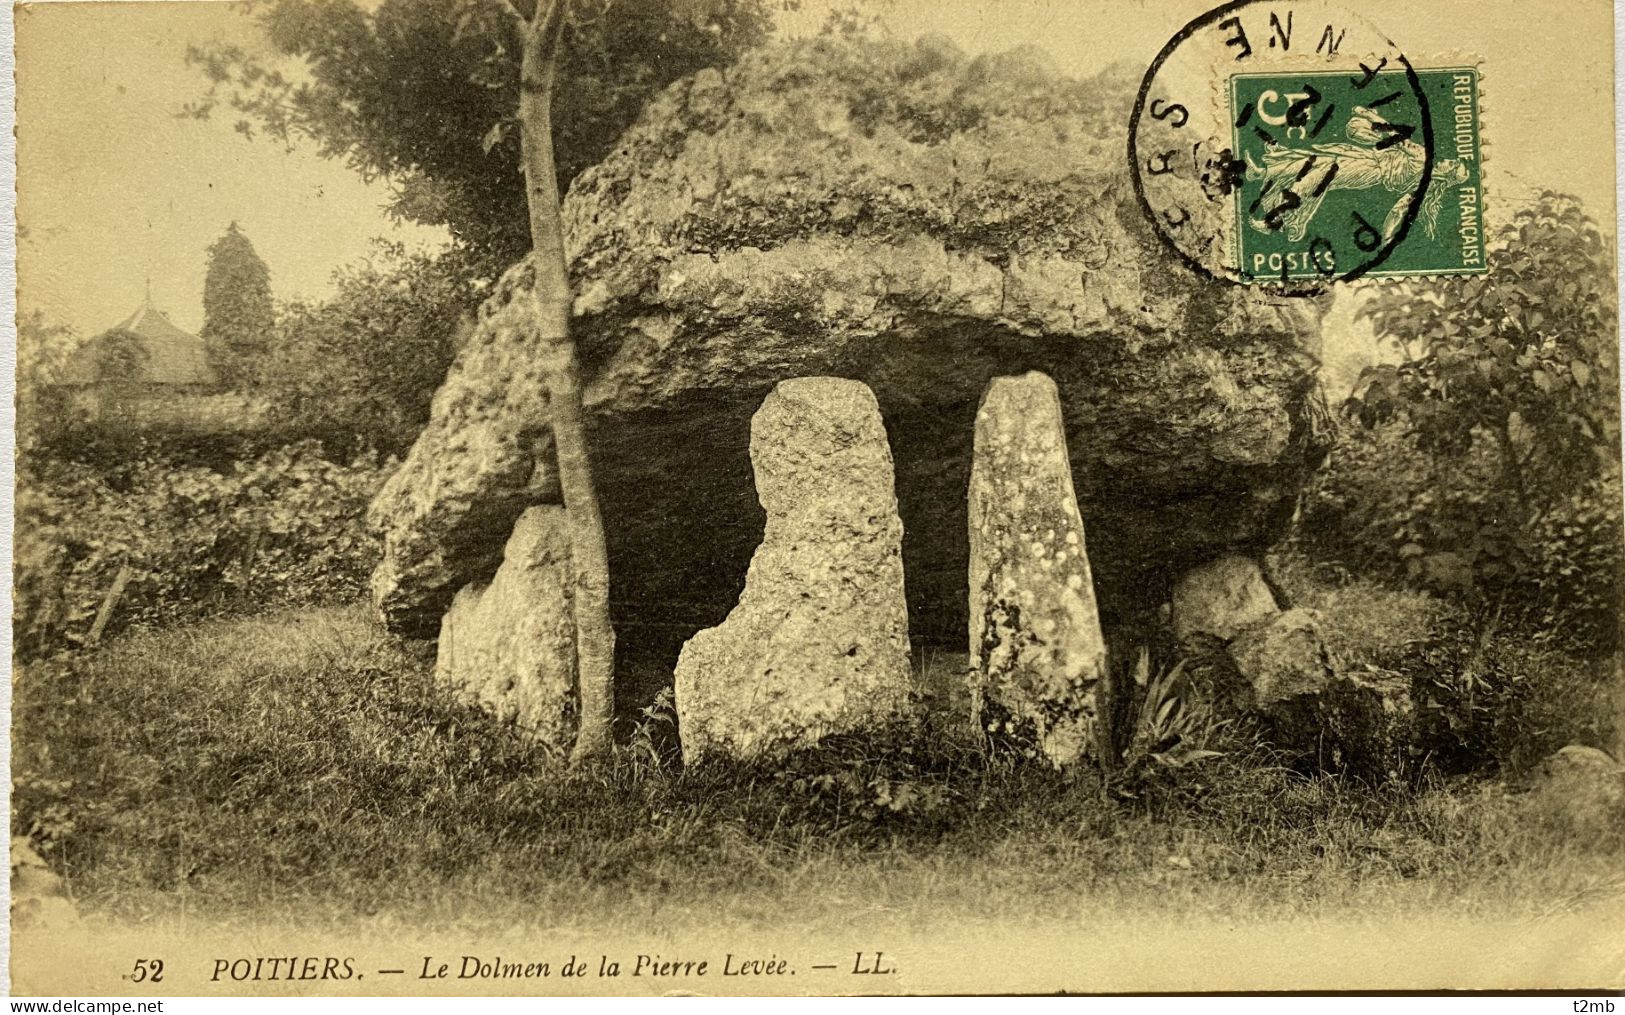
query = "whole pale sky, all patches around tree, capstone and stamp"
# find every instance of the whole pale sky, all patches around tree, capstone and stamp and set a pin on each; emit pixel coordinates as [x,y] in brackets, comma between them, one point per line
[116,189]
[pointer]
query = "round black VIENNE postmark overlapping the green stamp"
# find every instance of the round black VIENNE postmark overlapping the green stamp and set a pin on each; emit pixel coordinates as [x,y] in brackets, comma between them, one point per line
[1283,144]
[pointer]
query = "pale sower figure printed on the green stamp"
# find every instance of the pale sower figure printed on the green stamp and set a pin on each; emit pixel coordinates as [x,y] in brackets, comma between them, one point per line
[1372,160]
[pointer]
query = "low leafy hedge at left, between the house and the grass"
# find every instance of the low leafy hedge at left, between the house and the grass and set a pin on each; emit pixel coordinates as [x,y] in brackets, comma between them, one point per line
[284,529]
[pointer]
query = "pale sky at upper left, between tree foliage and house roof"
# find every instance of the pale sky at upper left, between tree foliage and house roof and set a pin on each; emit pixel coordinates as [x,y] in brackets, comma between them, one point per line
[115,188]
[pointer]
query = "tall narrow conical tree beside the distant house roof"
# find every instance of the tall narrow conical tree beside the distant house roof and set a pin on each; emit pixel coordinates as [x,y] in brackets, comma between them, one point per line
[238,313]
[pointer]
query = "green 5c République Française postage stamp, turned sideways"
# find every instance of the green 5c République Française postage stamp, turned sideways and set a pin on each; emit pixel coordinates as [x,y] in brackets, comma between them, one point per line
[1330,166]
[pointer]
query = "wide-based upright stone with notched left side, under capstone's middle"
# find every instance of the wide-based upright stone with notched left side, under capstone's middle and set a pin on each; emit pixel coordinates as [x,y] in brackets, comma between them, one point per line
[820,639]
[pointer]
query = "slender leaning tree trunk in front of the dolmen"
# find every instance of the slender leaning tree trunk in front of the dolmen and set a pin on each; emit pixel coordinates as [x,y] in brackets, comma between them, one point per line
[591,559]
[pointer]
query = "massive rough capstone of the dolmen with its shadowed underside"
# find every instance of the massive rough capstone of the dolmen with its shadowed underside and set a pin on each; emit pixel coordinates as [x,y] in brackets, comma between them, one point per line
[890,214]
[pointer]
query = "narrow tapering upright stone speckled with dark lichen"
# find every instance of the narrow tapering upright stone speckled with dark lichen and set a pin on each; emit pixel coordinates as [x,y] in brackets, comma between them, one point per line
[1036,646]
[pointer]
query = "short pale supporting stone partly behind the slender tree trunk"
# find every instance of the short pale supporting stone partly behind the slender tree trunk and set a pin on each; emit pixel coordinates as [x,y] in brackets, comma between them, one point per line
[511,644]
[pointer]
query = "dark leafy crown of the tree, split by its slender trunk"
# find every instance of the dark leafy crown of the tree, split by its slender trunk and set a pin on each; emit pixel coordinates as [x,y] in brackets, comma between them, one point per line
[425,92]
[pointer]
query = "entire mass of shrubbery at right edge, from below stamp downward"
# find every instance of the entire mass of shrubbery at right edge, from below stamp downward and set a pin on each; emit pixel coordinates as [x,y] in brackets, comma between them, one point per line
[1486,465]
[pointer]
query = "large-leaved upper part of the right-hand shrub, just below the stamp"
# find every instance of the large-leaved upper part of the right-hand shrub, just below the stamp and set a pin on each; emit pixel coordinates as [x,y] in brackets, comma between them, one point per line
[1527,353]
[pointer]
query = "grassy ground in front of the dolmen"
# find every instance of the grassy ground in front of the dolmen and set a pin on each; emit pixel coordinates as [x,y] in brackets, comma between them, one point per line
[303,766]
